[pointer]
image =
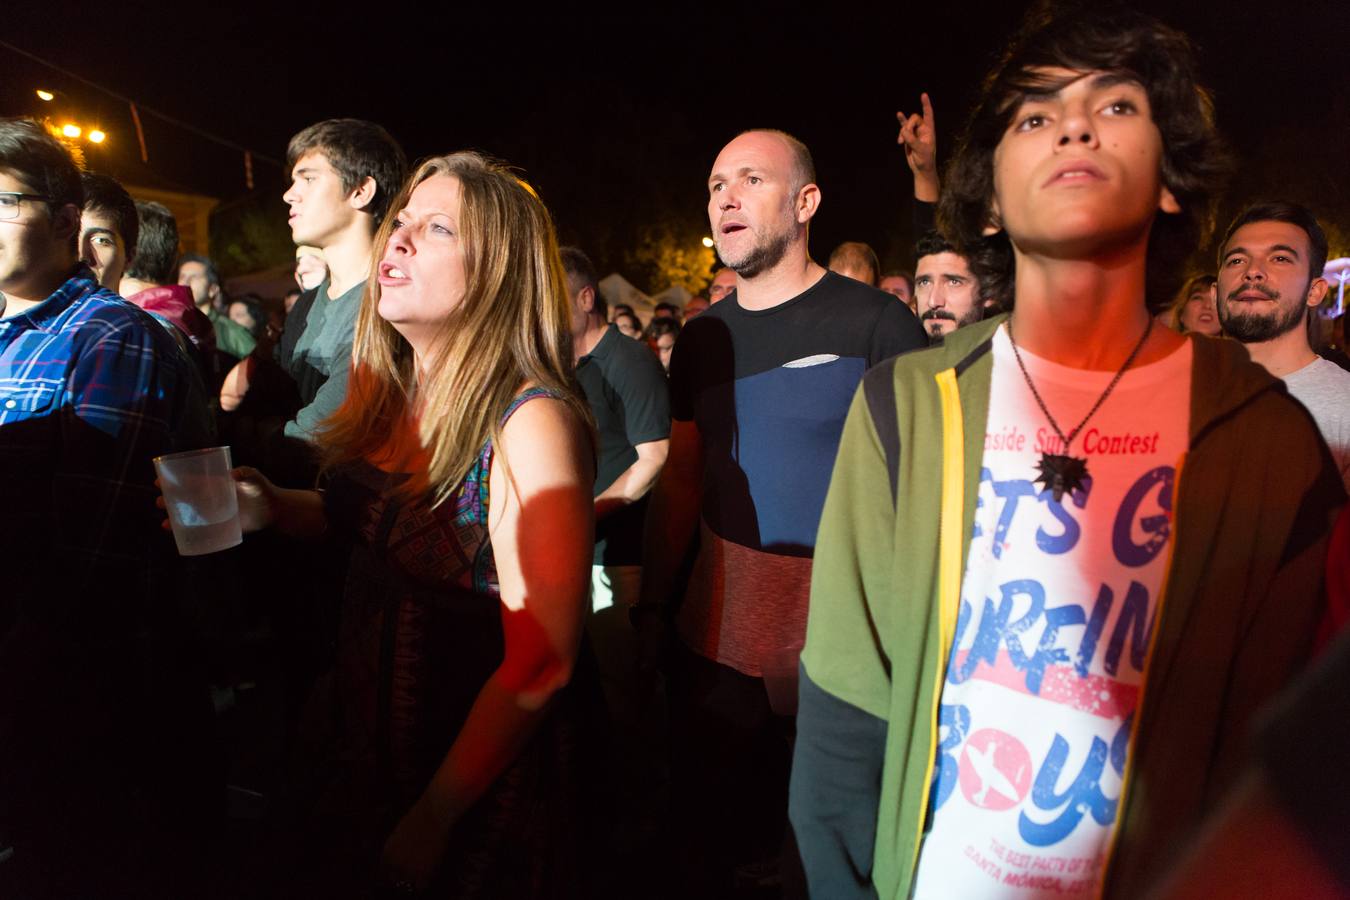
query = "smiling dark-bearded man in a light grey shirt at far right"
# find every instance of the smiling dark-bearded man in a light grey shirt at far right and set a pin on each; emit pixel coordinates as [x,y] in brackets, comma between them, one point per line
[1270,277]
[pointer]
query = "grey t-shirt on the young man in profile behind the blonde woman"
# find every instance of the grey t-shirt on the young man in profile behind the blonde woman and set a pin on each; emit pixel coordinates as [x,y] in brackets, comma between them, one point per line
[322,357]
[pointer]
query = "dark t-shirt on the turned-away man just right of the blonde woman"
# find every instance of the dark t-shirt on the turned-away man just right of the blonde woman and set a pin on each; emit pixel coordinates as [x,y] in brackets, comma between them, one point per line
[627,393]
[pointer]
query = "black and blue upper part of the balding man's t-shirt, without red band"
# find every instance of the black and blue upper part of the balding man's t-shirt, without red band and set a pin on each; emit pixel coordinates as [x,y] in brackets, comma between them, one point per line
[769,391]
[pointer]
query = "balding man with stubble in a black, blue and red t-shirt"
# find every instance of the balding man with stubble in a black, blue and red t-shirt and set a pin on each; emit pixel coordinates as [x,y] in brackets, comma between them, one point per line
[759,391]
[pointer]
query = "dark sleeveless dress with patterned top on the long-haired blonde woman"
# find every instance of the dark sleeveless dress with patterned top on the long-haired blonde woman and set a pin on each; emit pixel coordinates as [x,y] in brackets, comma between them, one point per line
[422,632]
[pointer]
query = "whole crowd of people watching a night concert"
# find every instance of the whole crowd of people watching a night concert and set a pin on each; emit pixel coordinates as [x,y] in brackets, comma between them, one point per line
[996,578]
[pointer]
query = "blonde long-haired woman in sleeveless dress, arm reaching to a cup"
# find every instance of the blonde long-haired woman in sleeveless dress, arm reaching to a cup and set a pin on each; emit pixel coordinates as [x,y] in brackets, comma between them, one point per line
[461,463]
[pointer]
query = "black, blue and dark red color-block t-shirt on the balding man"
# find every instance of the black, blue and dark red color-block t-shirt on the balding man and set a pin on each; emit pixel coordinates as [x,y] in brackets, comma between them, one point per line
[769,392]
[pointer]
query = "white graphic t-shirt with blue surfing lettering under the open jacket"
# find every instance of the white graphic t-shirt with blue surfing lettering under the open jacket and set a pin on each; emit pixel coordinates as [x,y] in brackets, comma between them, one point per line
[1052,638]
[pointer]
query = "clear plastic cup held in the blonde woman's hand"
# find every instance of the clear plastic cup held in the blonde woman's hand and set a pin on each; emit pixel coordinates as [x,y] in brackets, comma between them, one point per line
[200,500]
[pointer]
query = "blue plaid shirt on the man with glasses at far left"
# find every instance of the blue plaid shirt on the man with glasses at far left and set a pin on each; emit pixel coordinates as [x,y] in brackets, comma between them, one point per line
[91,391]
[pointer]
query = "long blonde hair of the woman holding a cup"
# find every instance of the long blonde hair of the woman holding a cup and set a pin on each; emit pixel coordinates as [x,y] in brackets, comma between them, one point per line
[512,329]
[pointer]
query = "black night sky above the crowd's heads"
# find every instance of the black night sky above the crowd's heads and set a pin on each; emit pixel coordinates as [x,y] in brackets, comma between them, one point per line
[618,121]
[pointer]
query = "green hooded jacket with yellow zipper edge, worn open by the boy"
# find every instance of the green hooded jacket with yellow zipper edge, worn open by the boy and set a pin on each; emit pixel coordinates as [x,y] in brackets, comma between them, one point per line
[1253,504]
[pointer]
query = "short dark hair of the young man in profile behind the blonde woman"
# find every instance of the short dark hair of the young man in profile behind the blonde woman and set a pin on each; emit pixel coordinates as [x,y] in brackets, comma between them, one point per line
[357,150]
